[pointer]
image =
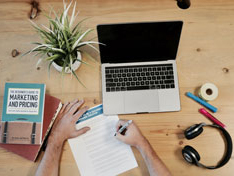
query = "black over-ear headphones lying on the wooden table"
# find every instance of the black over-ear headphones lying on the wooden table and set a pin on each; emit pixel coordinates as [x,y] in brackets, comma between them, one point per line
[192,156]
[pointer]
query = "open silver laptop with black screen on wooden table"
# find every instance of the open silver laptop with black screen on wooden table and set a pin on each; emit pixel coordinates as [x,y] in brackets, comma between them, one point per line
[138,63]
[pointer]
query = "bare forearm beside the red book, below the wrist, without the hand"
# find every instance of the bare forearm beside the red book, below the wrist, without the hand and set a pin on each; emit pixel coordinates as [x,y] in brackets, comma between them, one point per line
[50,162]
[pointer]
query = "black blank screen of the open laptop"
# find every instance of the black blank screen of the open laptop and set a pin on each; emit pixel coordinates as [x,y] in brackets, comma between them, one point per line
[139,42]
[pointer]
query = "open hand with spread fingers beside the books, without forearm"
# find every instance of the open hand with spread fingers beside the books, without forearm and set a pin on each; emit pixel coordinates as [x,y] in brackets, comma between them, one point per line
[65,124]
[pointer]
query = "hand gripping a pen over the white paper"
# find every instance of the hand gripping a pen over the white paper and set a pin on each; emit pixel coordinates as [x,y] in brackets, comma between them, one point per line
[132,136]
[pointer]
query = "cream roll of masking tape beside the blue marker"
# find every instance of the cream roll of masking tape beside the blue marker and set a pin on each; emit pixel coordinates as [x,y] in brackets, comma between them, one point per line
[208,92]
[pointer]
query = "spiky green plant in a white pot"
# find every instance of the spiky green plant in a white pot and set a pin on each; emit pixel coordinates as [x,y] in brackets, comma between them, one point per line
[62,41]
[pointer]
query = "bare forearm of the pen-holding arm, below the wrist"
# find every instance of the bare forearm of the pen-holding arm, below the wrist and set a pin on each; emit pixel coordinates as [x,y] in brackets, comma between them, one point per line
[153,162]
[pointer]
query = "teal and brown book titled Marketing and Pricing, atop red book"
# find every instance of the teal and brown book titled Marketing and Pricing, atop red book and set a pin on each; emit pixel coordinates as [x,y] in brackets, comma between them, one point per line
[22,113]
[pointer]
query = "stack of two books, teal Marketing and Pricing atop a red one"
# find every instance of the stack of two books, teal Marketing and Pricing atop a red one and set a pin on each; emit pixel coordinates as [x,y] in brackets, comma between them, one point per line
[27,117]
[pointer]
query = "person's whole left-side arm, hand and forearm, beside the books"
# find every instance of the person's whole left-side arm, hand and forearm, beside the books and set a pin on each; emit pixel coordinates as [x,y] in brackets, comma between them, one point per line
[64,128]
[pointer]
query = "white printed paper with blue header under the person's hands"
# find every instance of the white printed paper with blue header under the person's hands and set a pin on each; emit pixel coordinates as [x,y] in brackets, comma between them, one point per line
[98,152]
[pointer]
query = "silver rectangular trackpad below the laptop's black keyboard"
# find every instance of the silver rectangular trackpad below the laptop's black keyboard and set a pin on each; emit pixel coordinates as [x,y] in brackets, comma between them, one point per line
[144,101]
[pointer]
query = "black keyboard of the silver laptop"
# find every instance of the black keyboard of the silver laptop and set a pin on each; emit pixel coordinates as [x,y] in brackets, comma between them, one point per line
[144,77]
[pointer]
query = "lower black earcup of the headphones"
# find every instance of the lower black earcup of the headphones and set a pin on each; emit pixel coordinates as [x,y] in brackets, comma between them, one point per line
[190,155]
